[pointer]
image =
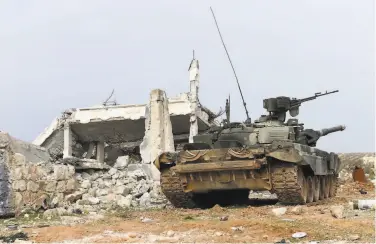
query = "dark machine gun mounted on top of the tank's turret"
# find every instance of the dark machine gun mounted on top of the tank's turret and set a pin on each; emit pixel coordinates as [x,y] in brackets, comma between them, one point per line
[278,106]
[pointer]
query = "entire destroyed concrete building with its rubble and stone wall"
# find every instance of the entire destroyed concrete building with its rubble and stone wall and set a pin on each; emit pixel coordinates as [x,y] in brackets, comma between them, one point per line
[100,156]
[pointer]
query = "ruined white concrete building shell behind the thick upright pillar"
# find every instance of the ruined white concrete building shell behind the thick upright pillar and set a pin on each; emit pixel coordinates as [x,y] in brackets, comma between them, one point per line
[123,124]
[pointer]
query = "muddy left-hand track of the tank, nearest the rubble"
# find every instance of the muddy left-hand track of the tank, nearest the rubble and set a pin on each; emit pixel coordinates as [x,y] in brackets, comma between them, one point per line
[173,190]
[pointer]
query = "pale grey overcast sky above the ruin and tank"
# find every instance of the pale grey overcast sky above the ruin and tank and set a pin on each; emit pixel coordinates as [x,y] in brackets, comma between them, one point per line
[56,55]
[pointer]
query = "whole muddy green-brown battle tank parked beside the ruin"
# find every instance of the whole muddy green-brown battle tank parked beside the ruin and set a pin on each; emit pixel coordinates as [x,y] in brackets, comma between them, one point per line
[223,164]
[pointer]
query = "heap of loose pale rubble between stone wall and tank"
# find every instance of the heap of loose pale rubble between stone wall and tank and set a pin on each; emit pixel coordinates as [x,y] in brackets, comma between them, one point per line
[124,185]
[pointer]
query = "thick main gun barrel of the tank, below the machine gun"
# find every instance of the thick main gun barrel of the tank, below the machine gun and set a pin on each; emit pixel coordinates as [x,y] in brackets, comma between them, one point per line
[310,137]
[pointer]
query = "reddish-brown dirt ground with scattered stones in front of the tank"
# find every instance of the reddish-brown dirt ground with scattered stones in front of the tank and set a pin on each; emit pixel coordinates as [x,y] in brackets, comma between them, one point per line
[255,222]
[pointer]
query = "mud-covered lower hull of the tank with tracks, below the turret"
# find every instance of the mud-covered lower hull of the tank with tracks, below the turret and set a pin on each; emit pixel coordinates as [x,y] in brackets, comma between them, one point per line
[298,174]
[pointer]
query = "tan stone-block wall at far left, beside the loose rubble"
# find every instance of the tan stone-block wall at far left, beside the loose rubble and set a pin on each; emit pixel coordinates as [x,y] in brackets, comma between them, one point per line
[28,179]
